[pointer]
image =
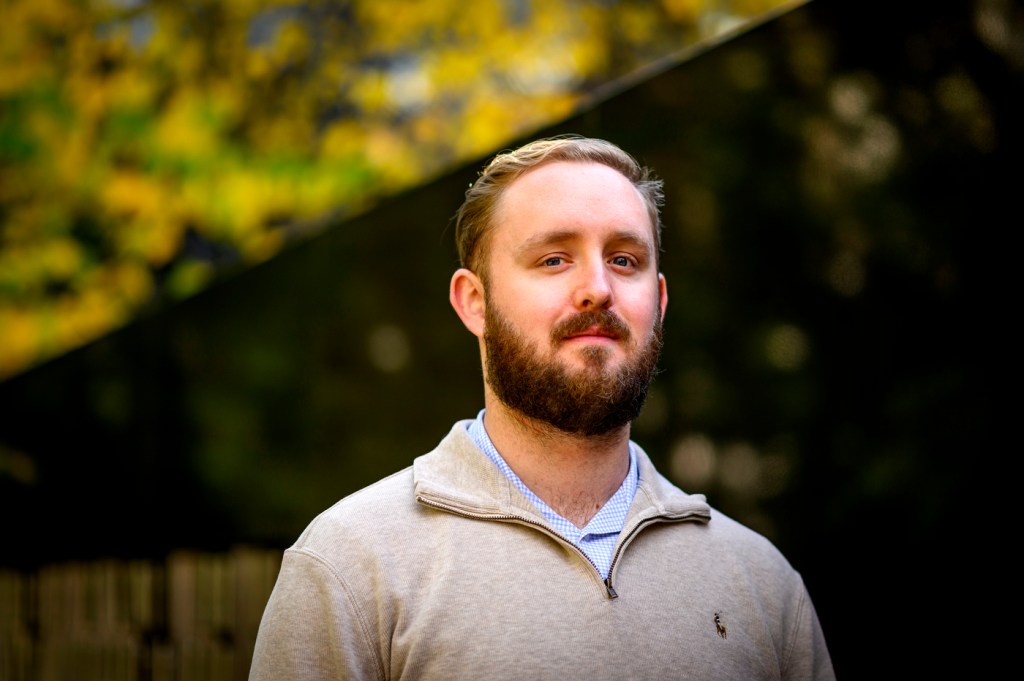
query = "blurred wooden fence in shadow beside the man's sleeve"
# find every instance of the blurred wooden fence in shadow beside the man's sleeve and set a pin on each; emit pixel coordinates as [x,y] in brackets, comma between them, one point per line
[194,617]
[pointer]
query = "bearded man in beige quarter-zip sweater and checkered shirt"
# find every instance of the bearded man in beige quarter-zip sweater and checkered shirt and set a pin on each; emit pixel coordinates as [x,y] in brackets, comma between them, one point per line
[538,541]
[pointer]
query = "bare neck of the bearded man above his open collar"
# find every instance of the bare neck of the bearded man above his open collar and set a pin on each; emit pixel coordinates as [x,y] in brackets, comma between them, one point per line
[574,475]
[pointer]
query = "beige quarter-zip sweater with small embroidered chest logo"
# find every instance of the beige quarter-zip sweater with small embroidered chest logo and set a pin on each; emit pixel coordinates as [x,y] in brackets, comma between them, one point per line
[445,571]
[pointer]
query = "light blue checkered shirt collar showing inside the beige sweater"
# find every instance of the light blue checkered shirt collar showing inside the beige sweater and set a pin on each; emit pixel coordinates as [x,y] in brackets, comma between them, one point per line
[599,539]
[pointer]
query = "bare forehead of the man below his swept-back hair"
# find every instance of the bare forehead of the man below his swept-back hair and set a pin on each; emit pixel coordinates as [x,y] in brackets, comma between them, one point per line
[574,198]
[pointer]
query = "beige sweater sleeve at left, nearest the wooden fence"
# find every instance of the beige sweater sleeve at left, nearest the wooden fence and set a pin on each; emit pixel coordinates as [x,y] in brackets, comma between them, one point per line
[312,628]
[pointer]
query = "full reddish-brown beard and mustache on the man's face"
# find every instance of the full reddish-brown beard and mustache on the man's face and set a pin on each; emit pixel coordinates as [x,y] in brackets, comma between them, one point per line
[592,401]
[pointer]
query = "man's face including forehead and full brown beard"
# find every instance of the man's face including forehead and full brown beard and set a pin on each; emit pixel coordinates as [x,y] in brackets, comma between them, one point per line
[574,299]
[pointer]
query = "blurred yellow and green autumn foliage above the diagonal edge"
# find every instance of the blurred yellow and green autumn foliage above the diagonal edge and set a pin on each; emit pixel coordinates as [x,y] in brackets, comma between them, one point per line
[150,147]
